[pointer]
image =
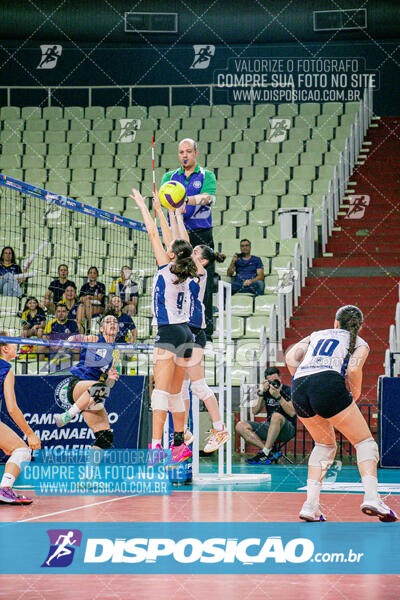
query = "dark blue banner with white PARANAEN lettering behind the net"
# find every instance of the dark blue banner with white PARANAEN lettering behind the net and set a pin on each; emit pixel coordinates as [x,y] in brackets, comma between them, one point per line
[39,397]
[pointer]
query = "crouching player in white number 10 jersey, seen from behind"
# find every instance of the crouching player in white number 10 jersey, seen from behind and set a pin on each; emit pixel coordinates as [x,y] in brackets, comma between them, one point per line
[320,364]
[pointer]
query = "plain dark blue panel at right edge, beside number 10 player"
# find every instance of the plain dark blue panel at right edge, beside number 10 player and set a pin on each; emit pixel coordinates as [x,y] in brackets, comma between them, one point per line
[389,422]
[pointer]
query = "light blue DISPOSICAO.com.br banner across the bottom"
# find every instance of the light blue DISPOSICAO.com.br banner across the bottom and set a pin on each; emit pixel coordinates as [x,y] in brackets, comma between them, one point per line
[199,548]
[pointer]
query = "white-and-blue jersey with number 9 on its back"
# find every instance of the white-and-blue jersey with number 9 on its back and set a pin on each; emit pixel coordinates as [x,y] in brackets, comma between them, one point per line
[170,301]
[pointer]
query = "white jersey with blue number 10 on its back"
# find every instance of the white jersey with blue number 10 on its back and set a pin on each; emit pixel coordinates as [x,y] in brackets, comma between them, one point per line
[327,351]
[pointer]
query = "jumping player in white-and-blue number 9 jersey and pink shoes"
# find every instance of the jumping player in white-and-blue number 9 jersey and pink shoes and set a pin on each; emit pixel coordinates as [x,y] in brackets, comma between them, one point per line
[174,341]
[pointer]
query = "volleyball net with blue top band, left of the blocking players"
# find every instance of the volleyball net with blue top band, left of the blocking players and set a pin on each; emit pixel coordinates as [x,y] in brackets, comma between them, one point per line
[46,230]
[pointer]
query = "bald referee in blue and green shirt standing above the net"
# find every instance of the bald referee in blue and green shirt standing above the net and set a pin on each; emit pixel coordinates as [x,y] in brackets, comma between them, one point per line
[200,187]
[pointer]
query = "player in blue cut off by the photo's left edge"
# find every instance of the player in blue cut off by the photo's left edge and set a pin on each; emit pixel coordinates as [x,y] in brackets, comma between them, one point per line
[10,442]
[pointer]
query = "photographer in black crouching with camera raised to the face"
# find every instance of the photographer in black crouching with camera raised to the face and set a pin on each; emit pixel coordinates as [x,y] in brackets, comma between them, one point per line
[280,423]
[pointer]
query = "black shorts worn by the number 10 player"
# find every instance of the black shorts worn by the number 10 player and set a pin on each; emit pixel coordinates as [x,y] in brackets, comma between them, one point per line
[324,394]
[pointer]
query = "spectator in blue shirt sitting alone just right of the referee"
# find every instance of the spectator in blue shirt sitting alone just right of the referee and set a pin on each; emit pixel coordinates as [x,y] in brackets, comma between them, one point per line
[248,271]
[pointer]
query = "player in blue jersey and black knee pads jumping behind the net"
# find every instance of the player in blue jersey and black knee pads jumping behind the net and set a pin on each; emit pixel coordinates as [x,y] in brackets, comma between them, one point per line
[91,382]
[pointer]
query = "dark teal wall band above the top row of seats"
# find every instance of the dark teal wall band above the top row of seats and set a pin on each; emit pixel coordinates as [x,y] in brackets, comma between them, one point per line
[313,72]
